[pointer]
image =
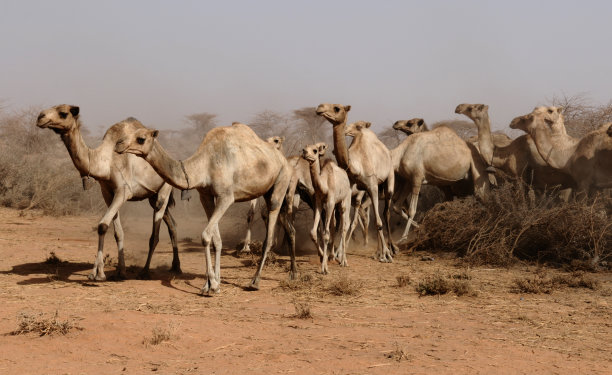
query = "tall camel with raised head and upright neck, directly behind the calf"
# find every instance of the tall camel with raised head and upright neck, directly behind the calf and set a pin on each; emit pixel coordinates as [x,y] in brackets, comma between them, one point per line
[368,164]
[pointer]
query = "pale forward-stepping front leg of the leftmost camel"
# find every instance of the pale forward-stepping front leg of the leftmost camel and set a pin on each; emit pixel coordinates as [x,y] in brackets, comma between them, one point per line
[114,202]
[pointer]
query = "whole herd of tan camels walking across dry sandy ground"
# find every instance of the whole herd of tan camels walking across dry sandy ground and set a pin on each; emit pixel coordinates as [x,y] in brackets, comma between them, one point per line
[233,164]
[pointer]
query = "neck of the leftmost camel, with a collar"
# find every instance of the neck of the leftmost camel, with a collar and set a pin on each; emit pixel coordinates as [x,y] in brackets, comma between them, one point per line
[89,162]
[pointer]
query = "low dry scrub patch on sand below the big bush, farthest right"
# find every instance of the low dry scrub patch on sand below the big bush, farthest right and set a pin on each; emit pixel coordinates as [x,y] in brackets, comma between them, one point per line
[542,283]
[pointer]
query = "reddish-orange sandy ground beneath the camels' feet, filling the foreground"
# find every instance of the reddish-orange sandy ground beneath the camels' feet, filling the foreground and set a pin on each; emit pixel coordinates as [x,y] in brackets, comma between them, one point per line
[380,329]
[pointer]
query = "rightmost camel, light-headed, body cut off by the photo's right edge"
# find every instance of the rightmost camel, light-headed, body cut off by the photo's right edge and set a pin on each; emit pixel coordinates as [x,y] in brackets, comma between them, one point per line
[588,161]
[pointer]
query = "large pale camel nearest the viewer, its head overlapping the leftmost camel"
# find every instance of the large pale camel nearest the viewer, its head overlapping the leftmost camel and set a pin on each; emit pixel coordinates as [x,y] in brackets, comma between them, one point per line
[232,164]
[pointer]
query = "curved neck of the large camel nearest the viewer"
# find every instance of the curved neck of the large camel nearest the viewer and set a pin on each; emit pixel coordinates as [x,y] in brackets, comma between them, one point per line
[174,172]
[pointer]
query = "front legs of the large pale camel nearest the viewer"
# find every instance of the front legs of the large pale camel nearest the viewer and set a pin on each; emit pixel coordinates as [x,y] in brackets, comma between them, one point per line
[212,284]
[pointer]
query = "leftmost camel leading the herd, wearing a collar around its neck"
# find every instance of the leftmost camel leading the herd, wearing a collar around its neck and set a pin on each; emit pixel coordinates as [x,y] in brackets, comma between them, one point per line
[121,178]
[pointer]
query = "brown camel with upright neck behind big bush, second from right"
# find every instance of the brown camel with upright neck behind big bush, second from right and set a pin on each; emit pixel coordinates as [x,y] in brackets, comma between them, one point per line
[520,158]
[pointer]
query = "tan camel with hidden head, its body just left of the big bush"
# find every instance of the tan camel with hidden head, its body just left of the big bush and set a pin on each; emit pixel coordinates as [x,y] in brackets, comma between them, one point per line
[441,158]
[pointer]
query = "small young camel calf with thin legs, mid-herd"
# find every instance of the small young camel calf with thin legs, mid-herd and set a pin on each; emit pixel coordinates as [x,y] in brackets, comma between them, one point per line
[332,189]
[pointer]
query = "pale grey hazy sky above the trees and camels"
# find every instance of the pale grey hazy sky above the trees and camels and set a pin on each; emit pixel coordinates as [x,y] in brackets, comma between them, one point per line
[162,60]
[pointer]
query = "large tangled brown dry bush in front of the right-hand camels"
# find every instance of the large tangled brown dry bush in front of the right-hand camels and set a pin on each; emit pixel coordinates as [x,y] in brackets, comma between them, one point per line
[509,225]
